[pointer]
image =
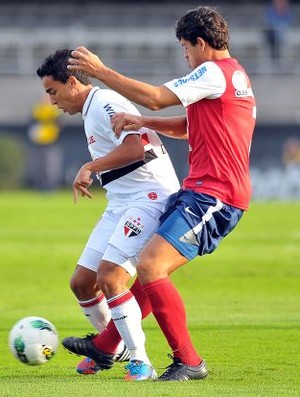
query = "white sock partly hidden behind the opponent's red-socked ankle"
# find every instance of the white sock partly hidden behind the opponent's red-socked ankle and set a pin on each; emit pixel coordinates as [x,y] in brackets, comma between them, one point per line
[97,312]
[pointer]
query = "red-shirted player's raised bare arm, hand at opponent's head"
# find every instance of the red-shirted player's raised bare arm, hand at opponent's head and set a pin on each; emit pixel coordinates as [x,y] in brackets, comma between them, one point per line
[152,97]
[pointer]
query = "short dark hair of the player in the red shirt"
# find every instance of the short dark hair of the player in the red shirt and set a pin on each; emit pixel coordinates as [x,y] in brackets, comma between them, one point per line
[204,22]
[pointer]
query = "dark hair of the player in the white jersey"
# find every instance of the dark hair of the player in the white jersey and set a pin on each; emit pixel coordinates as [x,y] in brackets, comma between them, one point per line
[55,65]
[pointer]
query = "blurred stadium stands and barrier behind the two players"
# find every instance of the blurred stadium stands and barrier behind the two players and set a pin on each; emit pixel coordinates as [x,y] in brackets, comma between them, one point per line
[137,38]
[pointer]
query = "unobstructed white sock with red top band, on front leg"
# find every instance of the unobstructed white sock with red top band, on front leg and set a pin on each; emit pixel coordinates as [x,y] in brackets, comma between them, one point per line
[127,317]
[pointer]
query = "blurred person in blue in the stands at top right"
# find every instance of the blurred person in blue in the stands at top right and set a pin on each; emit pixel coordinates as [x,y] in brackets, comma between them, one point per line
[279,19]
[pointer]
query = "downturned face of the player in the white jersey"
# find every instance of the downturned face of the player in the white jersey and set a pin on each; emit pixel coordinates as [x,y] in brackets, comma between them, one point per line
[62,95]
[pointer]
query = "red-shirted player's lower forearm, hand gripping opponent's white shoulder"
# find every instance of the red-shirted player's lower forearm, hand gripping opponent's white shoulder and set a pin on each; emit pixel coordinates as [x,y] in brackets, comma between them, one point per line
[173,127]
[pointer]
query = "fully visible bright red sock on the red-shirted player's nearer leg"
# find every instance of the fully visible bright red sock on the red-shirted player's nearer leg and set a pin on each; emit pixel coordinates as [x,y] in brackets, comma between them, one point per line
[169,311]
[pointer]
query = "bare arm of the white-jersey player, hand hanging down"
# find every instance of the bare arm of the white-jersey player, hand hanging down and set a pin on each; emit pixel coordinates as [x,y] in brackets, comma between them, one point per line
[130,151]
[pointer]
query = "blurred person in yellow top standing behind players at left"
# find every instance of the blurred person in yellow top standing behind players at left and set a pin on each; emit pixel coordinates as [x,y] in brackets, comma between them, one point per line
[45,160]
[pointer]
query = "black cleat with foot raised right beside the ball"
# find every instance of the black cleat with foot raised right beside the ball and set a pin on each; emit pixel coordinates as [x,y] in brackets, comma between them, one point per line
[85,347]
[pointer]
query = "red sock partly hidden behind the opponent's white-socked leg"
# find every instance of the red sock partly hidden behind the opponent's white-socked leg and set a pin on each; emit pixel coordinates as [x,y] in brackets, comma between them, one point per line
[109,339]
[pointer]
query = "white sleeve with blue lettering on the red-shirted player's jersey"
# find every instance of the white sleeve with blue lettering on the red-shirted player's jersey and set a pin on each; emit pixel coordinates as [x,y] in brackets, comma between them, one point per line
[206,81]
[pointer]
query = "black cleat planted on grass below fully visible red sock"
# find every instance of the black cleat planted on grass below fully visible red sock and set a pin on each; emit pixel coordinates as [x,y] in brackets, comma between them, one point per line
[179,371]
